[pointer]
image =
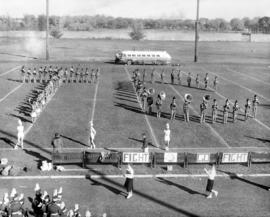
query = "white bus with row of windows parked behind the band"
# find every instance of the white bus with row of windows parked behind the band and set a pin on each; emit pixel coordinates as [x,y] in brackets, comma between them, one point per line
[142,57]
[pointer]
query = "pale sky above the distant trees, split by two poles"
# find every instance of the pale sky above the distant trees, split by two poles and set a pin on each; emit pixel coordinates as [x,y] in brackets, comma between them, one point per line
[169,9]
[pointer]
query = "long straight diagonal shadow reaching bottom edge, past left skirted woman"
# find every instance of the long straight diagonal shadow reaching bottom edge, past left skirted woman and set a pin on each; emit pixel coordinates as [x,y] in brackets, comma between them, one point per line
[146,196]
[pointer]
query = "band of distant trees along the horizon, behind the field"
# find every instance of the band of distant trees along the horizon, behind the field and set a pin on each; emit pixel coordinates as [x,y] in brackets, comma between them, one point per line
[88,23]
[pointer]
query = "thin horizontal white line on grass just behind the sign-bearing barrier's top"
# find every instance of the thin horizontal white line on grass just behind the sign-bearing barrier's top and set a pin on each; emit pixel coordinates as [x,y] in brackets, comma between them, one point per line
[151,148]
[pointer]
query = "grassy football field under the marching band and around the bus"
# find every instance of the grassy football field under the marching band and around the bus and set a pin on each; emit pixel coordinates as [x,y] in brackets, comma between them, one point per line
[243,70]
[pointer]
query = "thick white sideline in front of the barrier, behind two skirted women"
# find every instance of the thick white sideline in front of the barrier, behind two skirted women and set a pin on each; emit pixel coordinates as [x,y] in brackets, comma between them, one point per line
[221,175]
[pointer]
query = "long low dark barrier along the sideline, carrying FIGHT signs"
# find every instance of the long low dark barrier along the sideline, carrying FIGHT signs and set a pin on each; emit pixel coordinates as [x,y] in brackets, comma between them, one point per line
[159,158]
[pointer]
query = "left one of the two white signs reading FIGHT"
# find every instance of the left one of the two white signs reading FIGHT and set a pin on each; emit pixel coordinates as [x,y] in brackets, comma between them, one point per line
[135,157]
